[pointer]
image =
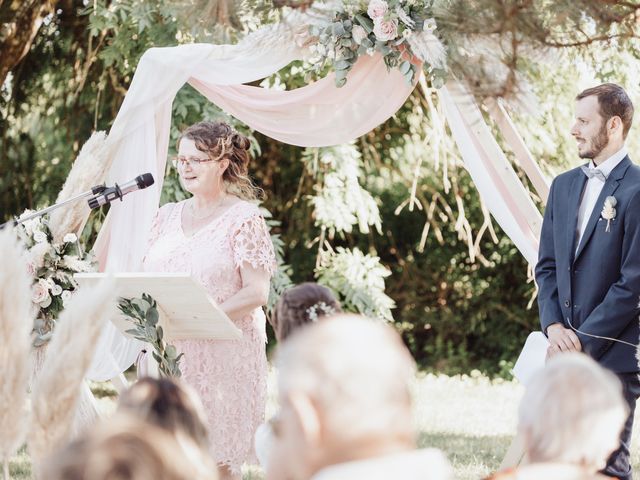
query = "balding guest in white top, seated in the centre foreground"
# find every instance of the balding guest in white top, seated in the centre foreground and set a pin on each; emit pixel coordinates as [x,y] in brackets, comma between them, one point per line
[346,409]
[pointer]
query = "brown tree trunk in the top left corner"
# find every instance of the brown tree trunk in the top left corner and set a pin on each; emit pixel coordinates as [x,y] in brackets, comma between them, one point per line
[20,20]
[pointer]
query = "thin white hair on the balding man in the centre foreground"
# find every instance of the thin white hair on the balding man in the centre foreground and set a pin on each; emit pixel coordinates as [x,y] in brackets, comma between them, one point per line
[358,373]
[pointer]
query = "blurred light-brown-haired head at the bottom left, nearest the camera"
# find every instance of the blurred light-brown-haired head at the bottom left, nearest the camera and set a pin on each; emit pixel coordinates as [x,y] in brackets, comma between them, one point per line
[126,448]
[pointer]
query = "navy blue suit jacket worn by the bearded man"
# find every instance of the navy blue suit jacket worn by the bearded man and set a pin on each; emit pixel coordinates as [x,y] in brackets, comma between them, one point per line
[597,288]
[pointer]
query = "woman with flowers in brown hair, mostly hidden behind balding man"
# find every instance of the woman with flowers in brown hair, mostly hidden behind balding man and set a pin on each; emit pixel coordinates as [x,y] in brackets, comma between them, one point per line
[299,306]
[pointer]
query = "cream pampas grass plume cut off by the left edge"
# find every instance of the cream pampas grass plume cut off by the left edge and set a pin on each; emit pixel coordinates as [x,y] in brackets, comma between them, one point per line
[16,323]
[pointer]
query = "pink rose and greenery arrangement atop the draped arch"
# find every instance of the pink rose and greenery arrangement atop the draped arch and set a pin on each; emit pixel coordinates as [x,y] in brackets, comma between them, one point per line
[402,31]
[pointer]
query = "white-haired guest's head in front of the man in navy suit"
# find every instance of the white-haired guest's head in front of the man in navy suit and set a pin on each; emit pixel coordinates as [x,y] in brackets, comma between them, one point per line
[572,412]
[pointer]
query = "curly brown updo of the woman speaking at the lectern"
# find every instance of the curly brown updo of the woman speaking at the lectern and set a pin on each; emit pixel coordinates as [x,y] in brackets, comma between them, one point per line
[218,140]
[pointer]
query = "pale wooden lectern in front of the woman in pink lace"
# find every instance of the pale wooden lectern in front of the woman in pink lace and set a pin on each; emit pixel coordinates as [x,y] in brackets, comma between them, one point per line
[186,310]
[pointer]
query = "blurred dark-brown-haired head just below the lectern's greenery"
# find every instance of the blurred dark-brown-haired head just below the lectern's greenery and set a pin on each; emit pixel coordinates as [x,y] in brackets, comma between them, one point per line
[168,404]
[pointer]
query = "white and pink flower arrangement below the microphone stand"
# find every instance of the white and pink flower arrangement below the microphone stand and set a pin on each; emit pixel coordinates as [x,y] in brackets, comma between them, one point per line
[52,266]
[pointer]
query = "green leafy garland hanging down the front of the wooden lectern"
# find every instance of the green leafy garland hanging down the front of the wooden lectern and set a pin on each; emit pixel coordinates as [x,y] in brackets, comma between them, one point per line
[143,313]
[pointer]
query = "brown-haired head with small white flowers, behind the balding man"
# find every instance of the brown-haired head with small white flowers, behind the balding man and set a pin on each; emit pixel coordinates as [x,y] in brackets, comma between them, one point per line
[301,305]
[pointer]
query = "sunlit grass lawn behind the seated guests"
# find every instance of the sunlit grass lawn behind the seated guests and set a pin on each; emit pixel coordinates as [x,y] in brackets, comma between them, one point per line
[471,418]
